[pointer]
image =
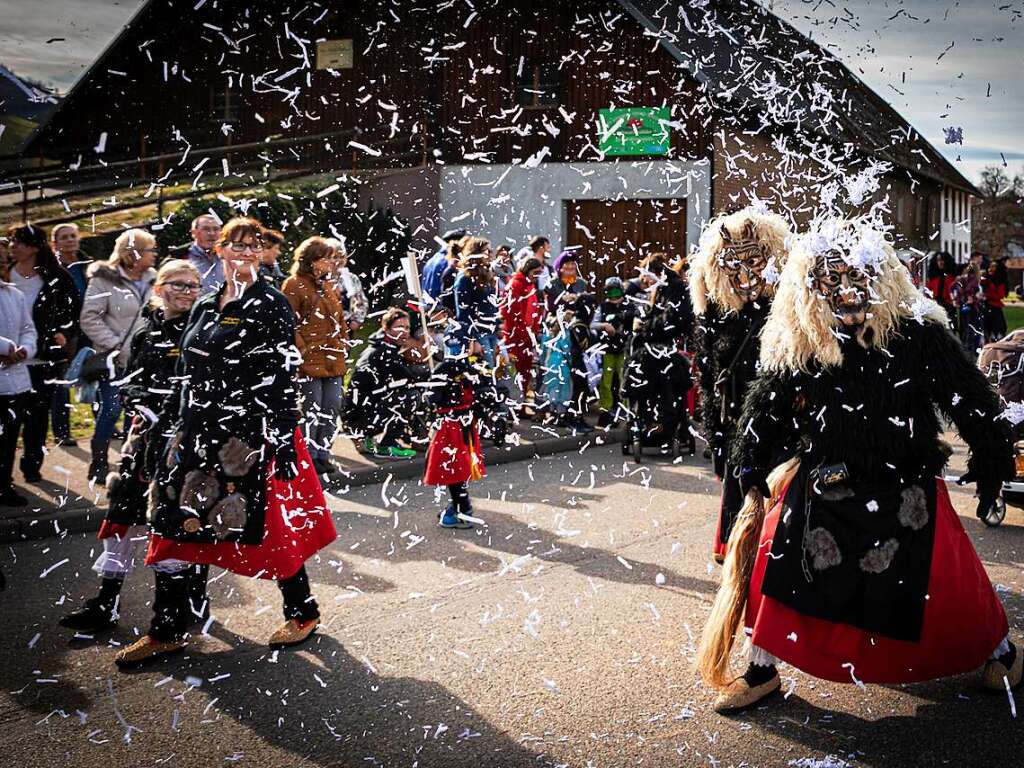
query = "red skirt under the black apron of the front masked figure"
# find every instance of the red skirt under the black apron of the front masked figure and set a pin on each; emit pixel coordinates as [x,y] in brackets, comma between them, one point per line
[964,620]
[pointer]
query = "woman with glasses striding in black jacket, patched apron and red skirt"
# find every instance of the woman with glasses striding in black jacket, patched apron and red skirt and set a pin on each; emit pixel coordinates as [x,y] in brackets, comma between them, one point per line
[235,487]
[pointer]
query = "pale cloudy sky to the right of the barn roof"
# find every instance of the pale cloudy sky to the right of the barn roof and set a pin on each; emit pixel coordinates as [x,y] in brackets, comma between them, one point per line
[974,84]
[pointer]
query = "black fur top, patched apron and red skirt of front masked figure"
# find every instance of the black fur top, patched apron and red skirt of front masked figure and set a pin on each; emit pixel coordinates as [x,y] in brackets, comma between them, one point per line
[865,572]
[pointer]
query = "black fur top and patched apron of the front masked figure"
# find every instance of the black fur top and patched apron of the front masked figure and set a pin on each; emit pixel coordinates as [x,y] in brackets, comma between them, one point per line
[860,551]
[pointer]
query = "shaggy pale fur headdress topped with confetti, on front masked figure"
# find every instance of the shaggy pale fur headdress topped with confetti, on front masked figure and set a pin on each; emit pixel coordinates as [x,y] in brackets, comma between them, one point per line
[801,328]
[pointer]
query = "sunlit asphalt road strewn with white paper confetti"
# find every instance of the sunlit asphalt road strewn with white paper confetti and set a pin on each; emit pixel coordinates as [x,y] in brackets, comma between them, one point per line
[563,633]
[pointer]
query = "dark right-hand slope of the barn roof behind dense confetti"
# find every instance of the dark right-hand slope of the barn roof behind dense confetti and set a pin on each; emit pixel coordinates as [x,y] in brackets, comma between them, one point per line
[755,63]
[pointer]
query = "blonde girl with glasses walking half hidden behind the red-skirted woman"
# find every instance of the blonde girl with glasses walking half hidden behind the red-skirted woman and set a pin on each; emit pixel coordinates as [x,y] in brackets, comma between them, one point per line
[155,352]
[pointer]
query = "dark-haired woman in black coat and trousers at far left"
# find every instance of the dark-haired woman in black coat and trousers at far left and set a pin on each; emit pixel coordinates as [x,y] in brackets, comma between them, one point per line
[54,302]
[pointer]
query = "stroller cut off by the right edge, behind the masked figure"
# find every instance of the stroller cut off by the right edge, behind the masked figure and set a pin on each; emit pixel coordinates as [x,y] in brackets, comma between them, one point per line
[1003,364]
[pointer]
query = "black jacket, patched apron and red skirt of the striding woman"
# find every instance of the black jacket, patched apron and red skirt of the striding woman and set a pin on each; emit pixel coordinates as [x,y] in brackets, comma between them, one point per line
[217,499]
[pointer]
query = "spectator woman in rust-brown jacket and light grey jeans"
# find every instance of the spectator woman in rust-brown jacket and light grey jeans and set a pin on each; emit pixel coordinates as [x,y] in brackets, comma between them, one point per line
[322,336]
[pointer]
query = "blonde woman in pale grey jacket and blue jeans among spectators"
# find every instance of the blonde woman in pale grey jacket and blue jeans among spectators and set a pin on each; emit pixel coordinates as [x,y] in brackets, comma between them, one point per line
[112,313]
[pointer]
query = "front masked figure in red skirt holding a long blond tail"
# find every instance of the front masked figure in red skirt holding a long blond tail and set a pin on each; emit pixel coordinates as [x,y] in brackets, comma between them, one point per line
[849,559]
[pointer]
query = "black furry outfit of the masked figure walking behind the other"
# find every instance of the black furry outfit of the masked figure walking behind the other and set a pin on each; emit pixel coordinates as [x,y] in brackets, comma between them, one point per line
[729,348]
